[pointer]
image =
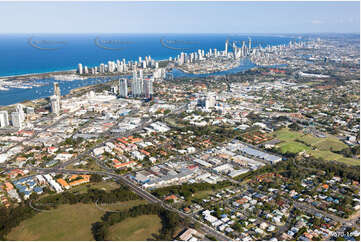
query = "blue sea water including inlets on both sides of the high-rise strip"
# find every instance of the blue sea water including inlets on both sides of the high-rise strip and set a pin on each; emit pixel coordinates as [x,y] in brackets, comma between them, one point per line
[40,53]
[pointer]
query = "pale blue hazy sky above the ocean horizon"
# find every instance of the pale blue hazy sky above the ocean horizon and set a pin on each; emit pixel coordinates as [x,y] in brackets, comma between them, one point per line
[179,17]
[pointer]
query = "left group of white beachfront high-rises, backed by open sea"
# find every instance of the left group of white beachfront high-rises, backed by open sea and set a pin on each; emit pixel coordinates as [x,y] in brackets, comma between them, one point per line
[119,66]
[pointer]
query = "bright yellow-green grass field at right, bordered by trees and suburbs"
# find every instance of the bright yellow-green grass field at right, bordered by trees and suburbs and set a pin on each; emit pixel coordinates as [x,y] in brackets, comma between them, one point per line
[295,142]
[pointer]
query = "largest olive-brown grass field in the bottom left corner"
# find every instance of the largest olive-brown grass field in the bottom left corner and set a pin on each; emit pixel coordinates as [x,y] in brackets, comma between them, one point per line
[67,222]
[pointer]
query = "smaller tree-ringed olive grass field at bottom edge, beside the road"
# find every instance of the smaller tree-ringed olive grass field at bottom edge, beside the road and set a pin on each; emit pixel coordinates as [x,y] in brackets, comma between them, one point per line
[139,228]
